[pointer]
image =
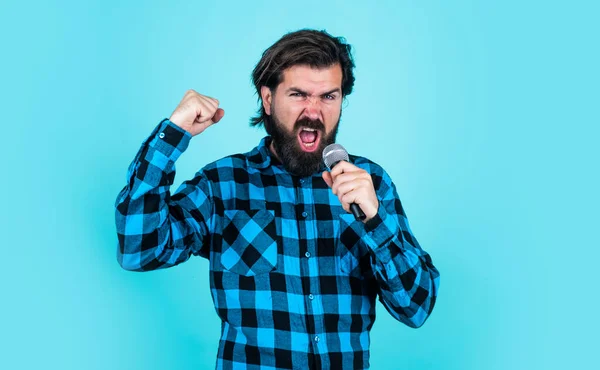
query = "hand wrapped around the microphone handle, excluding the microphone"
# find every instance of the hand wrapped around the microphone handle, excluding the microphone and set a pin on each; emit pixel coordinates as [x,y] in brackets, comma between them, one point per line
[352,184]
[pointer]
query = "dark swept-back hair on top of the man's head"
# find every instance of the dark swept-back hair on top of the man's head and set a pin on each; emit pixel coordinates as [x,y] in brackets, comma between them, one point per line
[317,49]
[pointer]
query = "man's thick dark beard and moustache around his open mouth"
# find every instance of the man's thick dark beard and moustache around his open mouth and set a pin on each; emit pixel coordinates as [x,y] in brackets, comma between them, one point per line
[294,159]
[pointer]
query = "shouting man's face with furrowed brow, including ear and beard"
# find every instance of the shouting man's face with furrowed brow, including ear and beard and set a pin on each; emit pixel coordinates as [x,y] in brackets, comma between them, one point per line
[305,110]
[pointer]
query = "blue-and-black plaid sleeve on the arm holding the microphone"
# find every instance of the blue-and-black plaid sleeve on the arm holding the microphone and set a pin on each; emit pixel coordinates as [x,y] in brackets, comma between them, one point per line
[408,281]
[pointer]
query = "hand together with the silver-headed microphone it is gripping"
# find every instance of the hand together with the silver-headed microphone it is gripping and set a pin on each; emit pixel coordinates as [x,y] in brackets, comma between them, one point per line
[352,185]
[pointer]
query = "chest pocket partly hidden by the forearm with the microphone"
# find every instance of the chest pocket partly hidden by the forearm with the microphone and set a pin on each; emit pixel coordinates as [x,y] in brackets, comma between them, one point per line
[354,257]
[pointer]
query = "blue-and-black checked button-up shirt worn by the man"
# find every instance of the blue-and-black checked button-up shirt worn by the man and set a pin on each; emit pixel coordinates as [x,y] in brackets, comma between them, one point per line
[294,278]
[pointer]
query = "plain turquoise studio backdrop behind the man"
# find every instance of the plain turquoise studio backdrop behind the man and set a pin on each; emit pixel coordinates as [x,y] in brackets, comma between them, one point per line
[484,114]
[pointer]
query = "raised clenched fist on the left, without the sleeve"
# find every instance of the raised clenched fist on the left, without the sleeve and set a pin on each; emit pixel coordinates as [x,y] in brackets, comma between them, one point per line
[195,113]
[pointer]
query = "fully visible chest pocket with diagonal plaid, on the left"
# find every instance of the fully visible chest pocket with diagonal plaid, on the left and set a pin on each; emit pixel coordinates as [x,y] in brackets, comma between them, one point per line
[249,242]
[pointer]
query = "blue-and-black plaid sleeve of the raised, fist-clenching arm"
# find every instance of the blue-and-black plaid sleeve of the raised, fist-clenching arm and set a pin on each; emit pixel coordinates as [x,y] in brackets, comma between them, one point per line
[156,230]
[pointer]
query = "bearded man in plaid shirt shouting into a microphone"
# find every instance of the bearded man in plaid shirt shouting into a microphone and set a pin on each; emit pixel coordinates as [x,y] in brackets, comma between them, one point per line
[294,276]
